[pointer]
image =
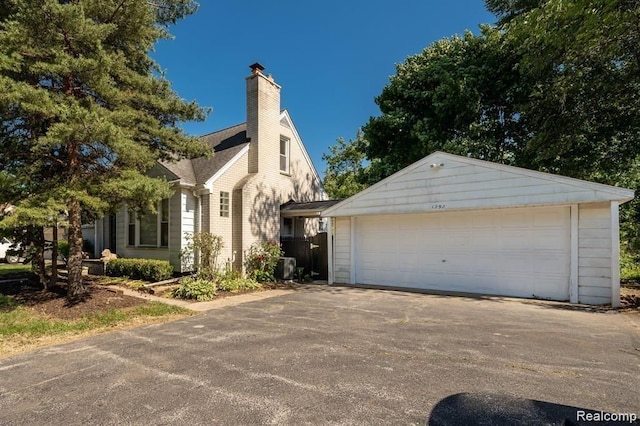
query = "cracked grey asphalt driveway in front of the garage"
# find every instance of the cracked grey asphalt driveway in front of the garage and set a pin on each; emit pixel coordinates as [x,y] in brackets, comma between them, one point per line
[327,355]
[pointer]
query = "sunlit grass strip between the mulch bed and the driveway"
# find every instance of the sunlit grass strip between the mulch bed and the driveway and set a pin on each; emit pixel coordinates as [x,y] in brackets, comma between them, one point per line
[22,329]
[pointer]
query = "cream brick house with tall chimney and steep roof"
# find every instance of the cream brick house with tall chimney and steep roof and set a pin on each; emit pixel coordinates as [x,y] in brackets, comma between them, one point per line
[258,166]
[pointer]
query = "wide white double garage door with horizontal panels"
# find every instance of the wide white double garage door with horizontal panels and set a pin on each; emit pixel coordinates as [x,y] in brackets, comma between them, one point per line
[522,252]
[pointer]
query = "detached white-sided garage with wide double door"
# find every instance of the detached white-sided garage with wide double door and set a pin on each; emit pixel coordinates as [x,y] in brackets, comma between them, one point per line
[456,224]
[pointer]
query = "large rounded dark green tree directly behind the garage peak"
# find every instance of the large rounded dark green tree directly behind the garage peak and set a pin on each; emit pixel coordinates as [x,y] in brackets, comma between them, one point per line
[460,94]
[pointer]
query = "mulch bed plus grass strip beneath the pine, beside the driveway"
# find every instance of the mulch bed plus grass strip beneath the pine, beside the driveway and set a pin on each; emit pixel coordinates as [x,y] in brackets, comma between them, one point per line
[31,318]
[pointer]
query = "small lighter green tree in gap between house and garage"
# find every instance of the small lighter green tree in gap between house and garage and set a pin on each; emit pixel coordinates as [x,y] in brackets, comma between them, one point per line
[345,168]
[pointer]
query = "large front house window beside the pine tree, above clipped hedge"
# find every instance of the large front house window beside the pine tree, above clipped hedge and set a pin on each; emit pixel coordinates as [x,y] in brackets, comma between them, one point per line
[149,230]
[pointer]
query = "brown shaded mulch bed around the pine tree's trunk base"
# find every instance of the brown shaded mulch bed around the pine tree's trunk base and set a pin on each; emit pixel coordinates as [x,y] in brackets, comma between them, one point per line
[54,303]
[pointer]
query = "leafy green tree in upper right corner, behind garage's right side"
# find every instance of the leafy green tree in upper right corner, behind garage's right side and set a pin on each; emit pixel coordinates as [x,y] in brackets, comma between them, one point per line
[583,57]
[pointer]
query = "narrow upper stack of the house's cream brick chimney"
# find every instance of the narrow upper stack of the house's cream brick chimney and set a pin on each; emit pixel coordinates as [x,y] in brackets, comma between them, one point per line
[263,120]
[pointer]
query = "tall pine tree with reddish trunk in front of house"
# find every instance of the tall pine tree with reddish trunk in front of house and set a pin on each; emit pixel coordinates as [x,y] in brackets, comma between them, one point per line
[85,111]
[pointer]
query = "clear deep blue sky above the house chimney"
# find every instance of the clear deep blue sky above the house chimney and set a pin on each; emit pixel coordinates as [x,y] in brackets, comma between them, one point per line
[332,58]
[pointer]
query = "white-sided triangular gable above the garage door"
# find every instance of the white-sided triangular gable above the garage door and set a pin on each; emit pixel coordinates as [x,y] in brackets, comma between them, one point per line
[444,181]
